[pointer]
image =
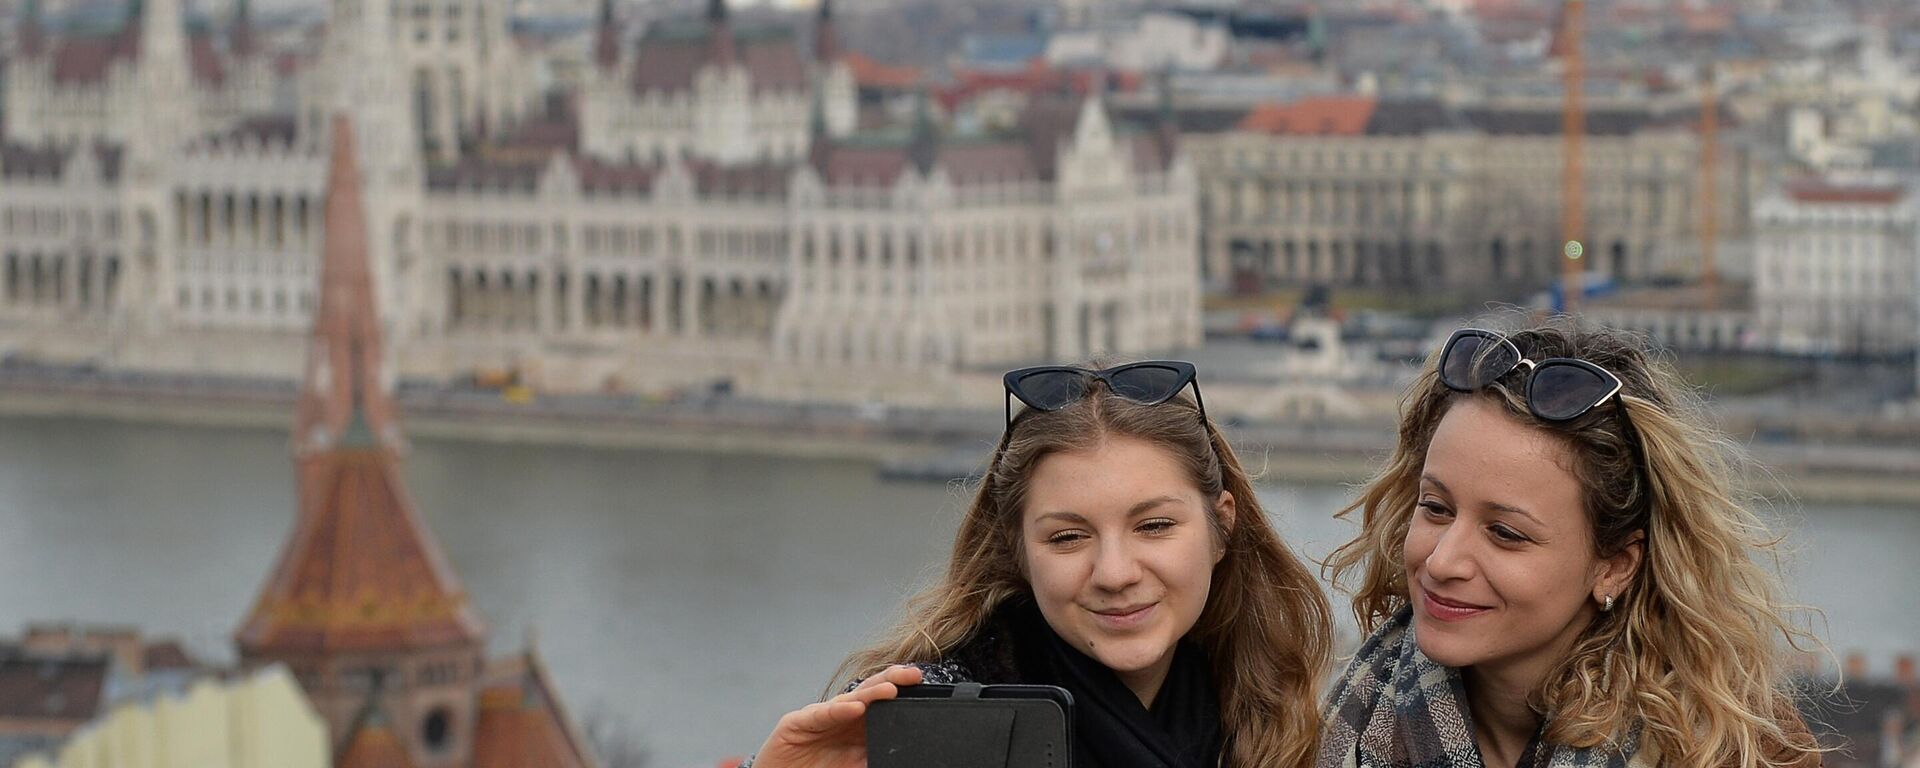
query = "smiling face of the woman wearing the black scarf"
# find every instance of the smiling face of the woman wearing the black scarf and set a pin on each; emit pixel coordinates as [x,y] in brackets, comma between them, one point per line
[1120,550]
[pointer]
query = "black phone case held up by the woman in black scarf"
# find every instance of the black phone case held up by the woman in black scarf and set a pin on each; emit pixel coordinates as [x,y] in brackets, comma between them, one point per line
[972,727]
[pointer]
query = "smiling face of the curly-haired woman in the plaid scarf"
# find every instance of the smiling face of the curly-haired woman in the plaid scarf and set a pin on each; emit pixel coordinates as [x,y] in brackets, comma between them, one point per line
[1500,552]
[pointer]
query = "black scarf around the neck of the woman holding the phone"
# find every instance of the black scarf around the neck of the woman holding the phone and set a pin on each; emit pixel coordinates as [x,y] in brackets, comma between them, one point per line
[1111,729]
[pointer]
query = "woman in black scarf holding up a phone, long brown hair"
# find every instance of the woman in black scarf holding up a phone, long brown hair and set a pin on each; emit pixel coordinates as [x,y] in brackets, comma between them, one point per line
[1115,548]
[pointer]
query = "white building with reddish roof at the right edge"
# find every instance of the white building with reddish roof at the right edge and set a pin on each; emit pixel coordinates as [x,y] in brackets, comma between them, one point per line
[1838,268]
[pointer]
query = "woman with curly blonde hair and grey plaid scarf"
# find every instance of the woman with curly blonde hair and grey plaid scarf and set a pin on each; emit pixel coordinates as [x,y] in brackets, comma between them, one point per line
[1556,571]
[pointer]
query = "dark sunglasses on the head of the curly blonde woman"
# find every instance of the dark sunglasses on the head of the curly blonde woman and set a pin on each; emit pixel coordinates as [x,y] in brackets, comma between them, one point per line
[1560,389]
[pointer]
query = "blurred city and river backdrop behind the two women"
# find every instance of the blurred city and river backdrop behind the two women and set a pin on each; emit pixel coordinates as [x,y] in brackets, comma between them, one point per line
[692,320]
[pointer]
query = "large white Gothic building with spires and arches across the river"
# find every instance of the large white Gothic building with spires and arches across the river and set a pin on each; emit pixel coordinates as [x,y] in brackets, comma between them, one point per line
[709,235]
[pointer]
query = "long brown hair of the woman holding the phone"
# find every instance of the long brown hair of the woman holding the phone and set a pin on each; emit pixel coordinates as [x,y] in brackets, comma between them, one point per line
[1266,627]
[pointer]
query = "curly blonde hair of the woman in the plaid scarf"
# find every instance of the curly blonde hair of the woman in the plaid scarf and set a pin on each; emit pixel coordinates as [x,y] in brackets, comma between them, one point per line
[1691,652]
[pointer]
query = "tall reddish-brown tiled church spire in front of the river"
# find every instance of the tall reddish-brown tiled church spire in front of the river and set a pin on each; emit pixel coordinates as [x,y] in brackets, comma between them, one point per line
[360,573]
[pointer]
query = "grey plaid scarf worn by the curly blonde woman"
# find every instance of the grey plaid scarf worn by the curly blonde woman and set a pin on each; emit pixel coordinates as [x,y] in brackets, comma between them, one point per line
[1399,709]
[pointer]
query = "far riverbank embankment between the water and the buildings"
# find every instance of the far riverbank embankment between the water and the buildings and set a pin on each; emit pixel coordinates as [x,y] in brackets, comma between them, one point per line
[940,444]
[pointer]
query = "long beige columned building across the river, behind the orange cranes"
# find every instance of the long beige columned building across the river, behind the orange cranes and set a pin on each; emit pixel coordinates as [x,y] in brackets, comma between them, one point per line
[1358,191]
